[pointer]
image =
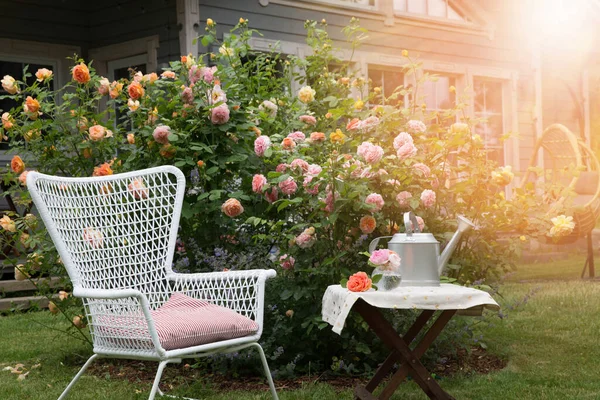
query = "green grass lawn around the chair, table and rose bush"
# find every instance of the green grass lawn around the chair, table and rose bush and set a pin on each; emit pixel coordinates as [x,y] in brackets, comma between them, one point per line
[551,342]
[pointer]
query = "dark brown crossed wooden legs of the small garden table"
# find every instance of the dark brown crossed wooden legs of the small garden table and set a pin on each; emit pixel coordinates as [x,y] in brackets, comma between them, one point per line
[402,354]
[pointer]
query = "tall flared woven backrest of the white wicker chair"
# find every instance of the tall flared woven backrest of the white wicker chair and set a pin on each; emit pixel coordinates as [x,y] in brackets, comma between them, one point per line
[114,232]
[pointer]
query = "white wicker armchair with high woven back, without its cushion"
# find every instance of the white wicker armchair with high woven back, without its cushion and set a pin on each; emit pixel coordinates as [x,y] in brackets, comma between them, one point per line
[116,236]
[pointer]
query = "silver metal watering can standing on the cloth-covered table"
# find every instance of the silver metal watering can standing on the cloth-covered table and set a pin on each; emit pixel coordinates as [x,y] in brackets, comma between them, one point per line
[421,263]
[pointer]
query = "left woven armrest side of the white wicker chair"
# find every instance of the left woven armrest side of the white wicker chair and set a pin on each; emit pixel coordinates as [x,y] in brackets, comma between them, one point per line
[120,319]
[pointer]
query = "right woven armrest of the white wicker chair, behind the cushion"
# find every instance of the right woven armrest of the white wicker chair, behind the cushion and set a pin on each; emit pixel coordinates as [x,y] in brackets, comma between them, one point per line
[240,291]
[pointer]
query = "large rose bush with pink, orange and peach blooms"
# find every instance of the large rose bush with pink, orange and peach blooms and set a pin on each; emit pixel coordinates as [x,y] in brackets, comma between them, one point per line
[298,171]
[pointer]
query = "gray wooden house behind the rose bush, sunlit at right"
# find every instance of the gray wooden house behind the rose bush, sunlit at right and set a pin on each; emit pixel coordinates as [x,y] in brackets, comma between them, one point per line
[529,63]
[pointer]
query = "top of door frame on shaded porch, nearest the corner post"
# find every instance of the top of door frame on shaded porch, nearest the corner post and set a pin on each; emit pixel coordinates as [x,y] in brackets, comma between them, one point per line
[147,47]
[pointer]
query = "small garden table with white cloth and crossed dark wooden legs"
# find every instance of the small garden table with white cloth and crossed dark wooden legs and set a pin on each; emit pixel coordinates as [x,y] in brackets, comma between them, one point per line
[448,299]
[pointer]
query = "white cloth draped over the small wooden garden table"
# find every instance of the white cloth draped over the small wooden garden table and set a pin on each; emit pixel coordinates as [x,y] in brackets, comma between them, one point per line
[338,301]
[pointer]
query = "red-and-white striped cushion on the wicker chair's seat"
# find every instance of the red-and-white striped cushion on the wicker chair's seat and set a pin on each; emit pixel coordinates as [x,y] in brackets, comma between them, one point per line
[184,322]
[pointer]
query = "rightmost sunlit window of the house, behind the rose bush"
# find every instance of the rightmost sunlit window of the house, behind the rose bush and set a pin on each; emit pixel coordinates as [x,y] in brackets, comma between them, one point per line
[488,107]
